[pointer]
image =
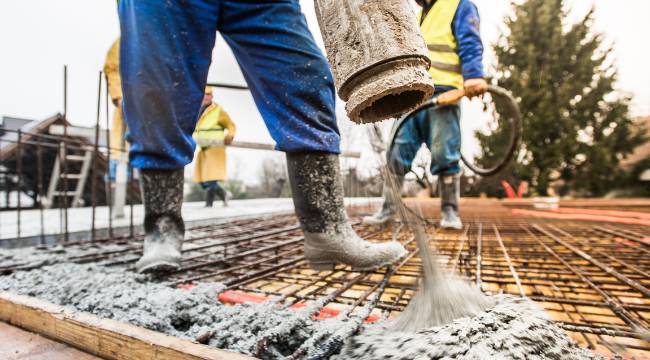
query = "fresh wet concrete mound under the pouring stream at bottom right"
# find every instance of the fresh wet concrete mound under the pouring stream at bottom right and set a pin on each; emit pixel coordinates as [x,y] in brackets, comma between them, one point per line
[515,328]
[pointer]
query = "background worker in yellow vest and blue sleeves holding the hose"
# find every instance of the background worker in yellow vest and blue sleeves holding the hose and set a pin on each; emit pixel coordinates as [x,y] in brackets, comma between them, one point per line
[451,31]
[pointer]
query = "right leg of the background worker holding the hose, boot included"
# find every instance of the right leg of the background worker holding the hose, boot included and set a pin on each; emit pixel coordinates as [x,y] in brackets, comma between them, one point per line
[445,158]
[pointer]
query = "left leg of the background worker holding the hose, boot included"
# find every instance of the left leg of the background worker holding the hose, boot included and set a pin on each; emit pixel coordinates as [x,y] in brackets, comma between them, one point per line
[408,138]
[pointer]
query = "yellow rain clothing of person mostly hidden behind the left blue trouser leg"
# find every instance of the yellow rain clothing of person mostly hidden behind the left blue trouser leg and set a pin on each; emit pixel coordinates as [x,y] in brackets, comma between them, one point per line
[112,72]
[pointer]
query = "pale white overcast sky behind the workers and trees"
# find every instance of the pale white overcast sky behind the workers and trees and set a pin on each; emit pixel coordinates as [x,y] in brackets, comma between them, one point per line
[39,36]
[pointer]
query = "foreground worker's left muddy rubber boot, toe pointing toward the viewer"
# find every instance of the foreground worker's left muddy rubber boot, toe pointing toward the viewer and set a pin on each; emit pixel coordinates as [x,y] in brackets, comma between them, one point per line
[163,223]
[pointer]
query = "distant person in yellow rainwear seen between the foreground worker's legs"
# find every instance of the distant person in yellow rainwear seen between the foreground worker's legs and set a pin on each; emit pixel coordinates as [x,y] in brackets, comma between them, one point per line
[210,168]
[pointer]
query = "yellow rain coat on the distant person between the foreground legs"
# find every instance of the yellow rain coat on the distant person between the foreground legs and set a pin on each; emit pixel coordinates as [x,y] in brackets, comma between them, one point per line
[210,163]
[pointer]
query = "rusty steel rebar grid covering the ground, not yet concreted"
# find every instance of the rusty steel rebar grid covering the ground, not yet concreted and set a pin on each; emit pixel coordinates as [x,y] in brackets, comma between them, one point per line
[586,263]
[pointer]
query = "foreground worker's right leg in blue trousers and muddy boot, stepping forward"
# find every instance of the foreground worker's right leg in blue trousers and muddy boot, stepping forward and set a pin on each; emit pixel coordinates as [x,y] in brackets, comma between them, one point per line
[293,88]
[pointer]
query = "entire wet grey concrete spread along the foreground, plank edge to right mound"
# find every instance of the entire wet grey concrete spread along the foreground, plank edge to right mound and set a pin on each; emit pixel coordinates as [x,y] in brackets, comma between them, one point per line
[513,328]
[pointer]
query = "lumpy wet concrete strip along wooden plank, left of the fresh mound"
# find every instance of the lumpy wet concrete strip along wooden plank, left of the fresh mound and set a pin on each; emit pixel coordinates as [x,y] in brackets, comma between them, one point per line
[140,300]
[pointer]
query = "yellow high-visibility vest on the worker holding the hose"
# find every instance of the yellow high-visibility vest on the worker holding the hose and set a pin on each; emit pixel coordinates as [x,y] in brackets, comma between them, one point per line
[437,32]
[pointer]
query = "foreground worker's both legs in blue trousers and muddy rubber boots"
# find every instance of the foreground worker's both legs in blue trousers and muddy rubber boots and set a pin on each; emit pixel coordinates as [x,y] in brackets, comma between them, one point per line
[165,52]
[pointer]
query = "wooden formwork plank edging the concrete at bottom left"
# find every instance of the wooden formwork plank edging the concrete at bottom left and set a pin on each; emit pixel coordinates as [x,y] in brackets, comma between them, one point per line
[103,337]
